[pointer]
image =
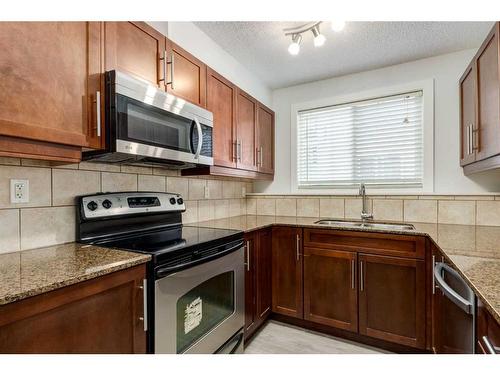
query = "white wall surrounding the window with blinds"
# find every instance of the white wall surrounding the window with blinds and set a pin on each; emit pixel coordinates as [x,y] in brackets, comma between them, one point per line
[445,70]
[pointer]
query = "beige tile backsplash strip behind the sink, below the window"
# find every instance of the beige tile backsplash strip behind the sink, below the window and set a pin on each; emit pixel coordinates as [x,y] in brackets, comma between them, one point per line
[447,209]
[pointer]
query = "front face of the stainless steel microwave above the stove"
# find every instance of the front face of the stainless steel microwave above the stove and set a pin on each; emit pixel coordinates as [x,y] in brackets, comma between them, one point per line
[148,131]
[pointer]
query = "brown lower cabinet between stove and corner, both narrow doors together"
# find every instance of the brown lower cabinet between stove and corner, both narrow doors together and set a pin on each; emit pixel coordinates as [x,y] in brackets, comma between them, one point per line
[257,279]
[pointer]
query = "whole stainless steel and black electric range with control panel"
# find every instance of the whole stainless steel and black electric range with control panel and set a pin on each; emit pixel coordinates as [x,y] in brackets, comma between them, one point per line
[195,284]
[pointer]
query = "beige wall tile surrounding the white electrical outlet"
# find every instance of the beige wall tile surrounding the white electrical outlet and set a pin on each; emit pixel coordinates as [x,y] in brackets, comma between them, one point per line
[39,185]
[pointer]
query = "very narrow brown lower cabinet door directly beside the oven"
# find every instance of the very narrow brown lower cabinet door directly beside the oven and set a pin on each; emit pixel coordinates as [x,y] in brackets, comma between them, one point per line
[250,284]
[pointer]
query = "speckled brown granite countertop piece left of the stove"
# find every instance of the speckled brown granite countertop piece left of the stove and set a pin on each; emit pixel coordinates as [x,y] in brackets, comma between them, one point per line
[27,273]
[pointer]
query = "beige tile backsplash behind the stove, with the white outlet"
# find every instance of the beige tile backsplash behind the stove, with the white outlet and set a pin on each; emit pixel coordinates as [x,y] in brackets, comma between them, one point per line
[49,216]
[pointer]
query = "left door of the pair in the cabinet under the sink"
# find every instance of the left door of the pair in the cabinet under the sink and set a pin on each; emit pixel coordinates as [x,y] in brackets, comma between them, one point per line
[330,292]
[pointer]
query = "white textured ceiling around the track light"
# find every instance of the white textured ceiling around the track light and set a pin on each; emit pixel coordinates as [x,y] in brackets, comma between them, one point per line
[262,47]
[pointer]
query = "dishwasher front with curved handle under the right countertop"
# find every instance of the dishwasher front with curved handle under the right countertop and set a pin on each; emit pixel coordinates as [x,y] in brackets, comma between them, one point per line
[456,311]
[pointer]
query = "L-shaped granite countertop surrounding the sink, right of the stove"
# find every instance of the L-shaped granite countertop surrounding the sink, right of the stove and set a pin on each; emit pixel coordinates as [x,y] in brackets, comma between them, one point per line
[473,250]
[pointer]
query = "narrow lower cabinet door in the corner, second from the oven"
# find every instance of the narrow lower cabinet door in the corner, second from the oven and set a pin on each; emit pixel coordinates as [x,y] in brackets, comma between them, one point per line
[263,273]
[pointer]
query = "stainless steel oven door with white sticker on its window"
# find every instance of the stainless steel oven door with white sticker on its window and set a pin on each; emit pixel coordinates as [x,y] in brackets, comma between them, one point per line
[199,309]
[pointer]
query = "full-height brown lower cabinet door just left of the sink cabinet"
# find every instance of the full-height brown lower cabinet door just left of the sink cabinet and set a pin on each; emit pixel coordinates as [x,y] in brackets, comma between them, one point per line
[287,271]
